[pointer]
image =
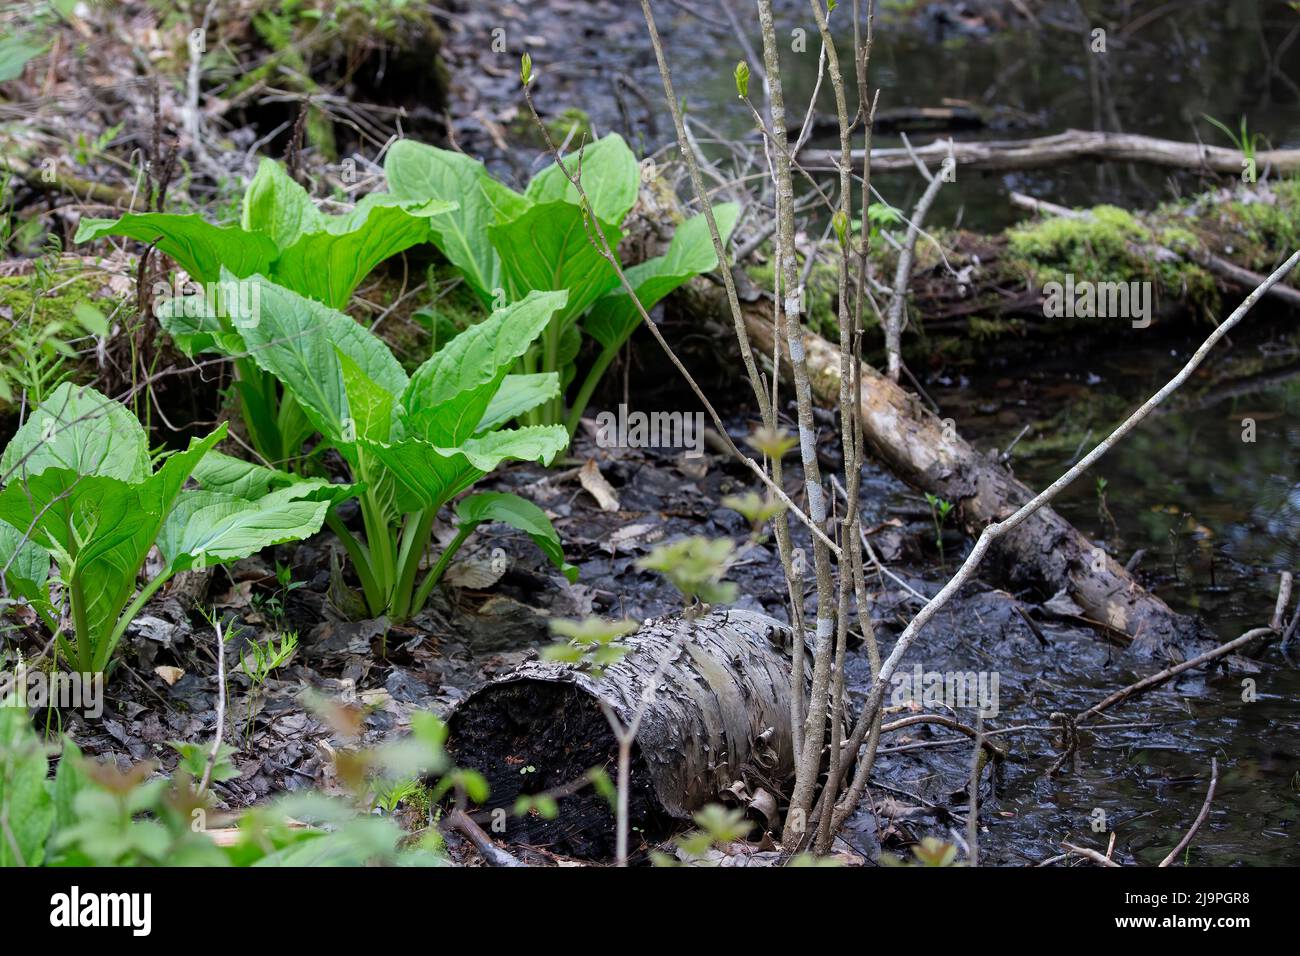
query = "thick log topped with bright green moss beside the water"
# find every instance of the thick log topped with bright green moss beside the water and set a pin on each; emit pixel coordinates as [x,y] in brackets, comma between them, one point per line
[986,291]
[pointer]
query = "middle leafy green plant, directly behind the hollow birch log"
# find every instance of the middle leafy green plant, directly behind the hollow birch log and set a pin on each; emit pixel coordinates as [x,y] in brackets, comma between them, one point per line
[413,443]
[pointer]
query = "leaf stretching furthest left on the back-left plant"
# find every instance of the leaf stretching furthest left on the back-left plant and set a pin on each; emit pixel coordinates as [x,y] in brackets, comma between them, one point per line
[202,249]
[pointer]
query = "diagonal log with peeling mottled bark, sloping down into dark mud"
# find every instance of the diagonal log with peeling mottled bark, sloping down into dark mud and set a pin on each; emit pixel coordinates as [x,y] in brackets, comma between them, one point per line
[1046,551]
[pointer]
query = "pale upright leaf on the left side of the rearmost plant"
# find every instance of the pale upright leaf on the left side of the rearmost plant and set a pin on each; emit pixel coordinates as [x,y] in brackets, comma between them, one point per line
[421,172]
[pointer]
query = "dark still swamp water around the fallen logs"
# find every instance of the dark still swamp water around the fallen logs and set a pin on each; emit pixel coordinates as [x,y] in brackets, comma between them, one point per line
[1219,517]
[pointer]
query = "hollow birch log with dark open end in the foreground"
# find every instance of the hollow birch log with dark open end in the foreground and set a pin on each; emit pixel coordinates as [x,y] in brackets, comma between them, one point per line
[717,724]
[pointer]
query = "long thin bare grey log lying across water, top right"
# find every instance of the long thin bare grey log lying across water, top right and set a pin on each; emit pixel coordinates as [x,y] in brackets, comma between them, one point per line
[1064,148]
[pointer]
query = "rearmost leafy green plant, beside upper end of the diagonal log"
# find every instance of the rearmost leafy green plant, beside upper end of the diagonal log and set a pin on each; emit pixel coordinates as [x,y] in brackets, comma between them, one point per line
[510,244]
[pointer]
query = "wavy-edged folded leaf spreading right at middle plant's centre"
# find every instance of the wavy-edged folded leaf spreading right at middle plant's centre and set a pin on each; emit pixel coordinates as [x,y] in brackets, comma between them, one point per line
[431,477]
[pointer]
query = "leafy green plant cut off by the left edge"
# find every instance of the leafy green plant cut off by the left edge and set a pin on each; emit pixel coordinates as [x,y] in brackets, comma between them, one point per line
[80,495]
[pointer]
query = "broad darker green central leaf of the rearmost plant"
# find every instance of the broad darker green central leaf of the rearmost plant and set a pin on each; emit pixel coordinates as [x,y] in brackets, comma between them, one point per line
[548,248]
